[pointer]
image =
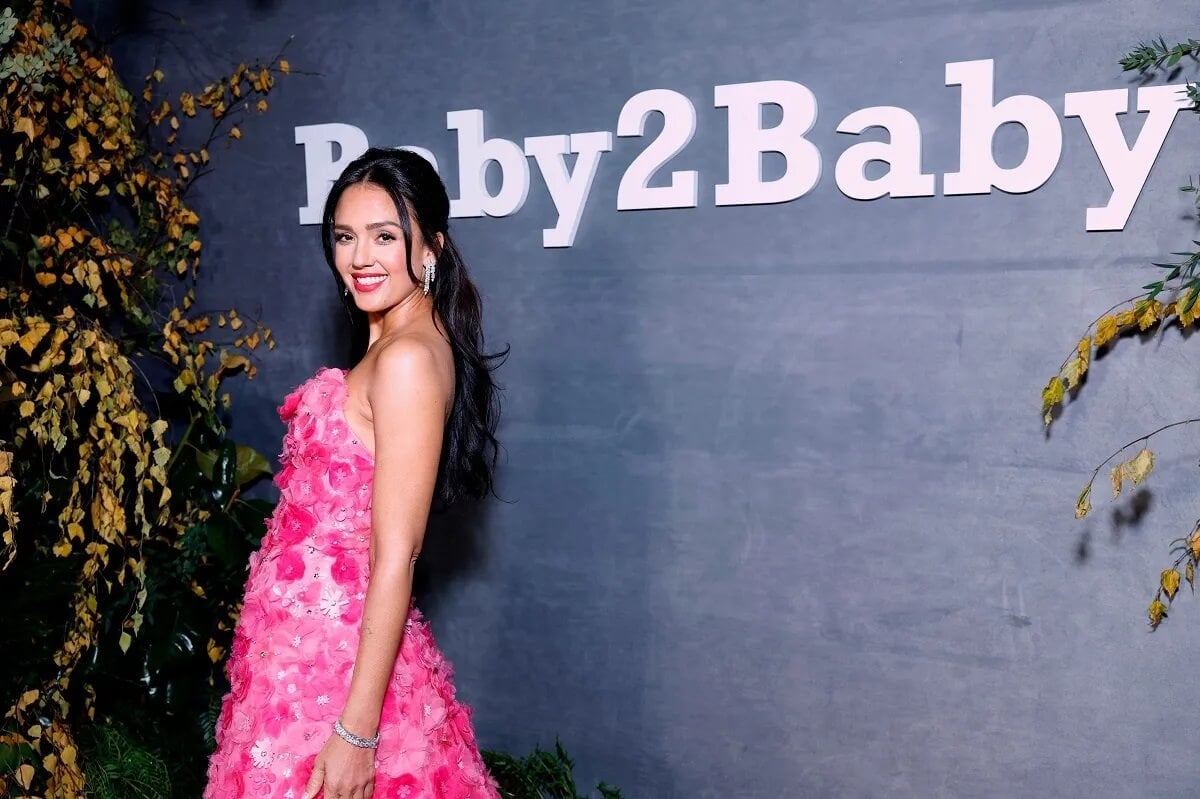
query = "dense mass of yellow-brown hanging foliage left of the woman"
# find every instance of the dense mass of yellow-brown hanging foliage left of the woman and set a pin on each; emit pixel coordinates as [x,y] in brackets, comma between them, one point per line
[111,519]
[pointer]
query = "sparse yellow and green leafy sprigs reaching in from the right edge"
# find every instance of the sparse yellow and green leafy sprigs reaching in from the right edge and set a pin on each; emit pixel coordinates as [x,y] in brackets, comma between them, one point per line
[1169,301]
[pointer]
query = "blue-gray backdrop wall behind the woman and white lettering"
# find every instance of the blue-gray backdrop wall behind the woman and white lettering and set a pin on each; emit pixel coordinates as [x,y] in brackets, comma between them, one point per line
[784,521]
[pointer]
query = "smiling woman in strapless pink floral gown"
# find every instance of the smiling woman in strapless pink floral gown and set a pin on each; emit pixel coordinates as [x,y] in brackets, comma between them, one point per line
[338,688]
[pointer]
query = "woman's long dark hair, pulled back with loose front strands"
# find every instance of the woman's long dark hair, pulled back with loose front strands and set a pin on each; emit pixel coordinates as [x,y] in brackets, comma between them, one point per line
[470,446]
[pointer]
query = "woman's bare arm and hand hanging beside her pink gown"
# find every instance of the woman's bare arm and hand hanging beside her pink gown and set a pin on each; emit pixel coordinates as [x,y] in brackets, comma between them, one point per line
[409,405]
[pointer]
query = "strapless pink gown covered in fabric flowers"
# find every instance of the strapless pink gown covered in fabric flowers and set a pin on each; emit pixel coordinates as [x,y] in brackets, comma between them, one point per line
[295,647]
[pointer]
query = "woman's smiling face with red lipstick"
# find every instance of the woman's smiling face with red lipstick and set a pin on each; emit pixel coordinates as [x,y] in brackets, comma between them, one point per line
[369,249]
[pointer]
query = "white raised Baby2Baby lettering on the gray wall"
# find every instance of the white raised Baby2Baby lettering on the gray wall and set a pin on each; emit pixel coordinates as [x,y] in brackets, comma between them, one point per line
[1127,166]
